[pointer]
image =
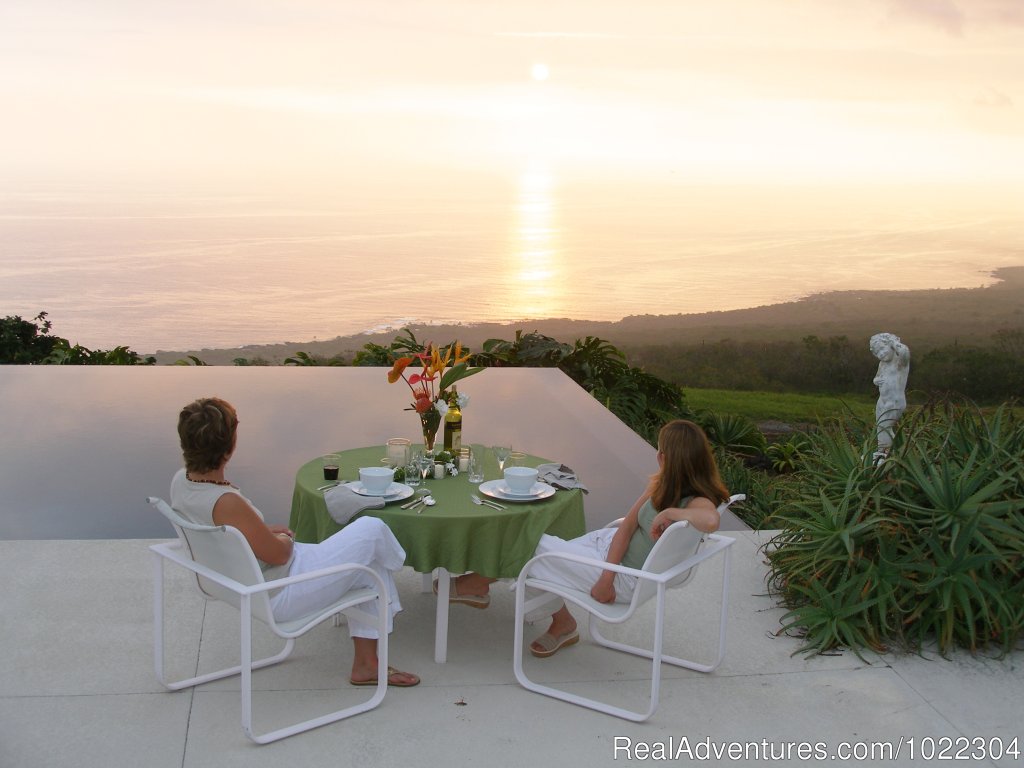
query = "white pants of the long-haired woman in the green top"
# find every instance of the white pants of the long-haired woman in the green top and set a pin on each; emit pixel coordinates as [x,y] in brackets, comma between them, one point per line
[578,576]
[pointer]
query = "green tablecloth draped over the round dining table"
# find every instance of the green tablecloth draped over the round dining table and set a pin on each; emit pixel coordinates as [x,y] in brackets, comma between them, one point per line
[455,534]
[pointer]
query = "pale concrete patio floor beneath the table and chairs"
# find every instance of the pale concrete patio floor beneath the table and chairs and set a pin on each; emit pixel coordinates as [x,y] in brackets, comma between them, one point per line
[77,686]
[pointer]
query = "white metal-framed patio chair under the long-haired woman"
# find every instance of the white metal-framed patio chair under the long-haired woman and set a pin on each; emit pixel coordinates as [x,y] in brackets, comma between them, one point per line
[671,564]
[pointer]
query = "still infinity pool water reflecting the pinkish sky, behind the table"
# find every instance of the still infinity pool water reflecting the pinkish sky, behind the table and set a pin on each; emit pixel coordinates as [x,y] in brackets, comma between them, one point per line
[84,446]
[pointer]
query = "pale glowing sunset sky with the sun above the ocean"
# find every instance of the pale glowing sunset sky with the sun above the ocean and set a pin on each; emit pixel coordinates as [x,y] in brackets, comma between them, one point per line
[304,94]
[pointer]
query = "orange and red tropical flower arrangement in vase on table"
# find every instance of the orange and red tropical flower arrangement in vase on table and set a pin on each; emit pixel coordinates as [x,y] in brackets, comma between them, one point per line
[431,387]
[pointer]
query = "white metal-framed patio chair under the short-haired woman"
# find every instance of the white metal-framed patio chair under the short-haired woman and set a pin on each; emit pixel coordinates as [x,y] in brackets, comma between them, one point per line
[227,570]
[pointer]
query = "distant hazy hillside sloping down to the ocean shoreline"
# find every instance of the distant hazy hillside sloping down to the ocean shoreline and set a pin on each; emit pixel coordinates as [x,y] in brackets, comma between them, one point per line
[924,319]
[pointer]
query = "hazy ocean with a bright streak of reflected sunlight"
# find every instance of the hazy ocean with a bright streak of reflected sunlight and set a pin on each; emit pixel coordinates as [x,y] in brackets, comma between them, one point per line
[176,271]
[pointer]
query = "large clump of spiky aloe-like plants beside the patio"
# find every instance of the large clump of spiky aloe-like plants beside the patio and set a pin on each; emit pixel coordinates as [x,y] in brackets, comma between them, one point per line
[927,545]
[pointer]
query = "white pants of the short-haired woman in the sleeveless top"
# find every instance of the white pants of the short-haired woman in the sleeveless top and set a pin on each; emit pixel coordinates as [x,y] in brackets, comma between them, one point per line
[366,541]
